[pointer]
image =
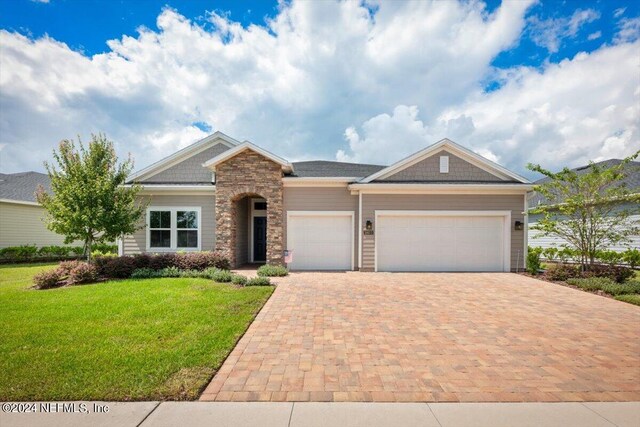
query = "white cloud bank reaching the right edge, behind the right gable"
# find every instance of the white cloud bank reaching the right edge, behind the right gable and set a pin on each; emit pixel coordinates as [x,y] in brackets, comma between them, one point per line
[566,114]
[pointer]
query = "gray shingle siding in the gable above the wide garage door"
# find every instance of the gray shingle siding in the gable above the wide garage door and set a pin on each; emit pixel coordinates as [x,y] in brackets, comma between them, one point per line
[429,170]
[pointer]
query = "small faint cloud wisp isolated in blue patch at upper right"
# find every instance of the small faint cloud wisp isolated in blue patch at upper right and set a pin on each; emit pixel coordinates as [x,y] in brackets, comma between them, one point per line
[549,33]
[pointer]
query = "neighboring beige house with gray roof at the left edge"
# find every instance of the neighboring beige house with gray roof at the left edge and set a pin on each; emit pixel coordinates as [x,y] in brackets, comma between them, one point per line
[21,217]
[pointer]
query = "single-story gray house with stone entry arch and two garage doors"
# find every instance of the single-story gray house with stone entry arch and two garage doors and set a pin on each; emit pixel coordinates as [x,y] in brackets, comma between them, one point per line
[444,208]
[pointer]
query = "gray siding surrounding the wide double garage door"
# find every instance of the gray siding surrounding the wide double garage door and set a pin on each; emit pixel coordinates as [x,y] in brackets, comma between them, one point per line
[373,202]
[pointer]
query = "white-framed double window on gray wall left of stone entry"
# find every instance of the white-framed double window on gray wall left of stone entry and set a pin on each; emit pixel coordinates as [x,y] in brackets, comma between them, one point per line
[171,229]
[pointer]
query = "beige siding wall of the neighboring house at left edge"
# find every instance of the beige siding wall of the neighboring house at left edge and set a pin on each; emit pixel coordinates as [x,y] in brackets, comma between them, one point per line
[24,225]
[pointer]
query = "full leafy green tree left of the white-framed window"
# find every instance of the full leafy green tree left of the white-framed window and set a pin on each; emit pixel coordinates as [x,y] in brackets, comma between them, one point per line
[89,202]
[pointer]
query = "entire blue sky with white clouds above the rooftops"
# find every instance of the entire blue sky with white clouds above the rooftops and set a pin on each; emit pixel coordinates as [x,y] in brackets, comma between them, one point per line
[550,82]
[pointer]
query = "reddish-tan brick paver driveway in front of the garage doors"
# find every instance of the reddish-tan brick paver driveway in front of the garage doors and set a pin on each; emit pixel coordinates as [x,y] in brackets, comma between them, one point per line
[433,337]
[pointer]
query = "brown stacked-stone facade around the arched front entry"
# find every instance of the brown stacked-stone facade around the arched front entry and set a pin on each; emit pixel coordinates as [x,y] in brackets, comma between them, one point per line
[249,174]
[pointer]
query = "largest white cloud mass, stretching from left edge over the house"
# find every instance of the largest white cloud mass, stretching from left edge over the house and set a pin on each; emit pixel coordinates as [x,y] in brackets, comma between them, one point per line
[292,87]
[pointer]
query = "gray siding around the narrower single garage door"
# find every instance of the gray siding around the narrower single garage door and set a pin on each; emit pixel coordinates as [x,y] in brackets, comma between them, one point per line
[321,199]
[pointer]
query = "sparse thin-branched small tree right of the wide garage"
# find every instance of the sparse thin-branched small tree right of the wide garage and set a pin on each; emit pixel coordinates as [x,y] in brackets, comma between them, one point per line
[589,210]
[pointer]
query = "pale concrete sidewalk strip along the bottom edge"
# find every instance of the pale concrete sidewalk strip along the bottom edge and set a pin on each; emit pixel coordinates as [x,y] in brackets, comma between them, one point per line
[312,414]
